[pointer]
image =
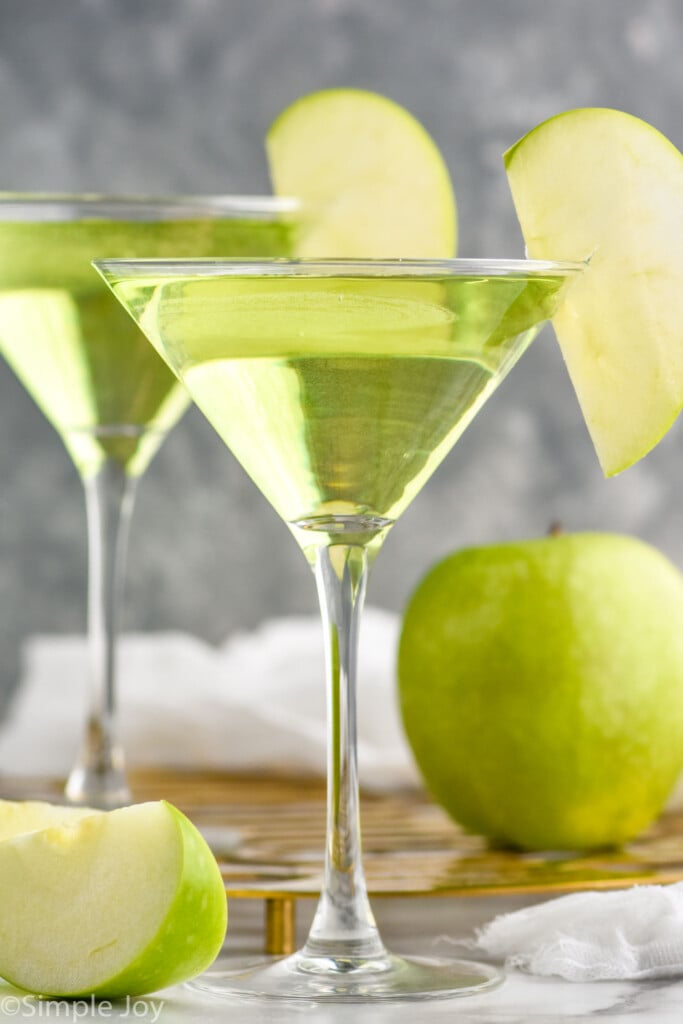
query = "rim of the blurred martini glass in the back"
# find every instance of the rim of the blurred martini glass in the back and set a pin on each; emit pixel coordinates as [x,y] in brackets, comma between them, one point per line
[41,206]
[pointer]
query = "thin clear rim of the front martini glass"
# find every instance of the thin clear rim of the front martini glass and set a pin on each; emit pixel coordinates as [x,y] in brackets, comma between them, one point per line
[362,268]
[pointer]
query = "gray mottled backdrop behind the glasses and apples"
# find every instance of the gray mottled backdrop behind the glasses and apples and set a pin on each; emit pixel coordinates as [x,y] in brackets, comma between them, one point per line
[164,96]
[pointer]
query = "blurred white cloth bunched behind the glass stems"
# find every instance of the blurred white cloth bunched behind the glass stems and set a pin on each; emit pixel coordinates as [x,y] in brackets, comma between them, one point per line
[258,703]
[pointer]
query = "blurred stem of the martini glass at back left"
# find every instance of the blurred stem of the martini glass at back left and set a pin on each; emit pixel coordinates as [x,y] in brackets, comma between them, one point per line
[99,778]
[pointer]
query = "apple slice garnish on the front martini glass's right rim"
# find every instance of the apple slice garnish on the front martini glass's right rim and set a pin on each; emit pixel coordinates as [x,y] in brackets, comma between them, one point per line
[605,185]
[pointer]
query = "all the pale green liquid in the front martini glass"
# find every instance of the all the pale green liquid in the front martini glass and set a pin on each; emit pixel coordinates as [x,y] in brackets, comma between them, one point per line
[340,397]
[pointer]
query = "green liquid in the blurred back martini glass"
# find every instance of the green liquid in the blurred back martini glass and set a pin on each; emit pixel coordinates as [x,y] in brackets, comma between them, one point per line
[77,352]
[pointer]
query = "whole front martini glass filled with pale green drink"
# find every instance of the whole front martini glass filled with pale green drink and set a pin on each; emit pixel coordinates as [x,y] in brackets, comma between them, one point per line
[340,387]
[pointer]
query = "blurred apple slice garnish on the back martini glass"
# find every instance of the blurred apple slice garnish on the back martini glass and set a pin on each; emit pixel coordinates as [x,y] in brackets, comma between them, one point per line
[371,179]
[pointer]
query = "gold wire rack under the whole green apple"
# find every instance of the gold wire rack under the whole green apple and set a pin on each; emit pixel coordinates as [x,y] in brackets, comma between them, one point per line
[269,837]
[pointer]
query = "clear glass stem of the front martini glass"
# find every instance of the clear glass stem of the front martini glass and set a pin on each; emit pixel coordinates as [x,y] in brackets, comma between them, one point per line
[344,928]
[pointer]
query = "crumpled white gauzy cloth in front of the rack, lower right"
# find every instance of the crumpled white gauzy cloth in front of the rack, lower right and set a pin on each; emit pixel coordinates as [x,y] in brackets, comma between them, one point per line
[628,934]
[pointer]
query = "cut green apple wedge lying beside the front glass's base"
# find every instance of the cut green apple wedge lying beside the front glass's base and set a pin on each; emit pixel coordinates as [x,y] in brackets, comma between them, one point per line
[120,904]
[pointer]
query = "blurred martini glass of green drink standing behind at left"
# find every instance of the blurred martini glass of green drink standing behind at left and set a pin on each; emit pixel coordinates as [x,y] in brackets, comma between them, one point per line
[103,388]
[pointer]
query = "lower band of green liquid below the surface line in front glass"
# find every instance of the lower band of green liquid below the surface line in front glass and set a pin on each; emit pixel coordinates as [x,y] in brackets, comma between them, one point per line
[339,437]
